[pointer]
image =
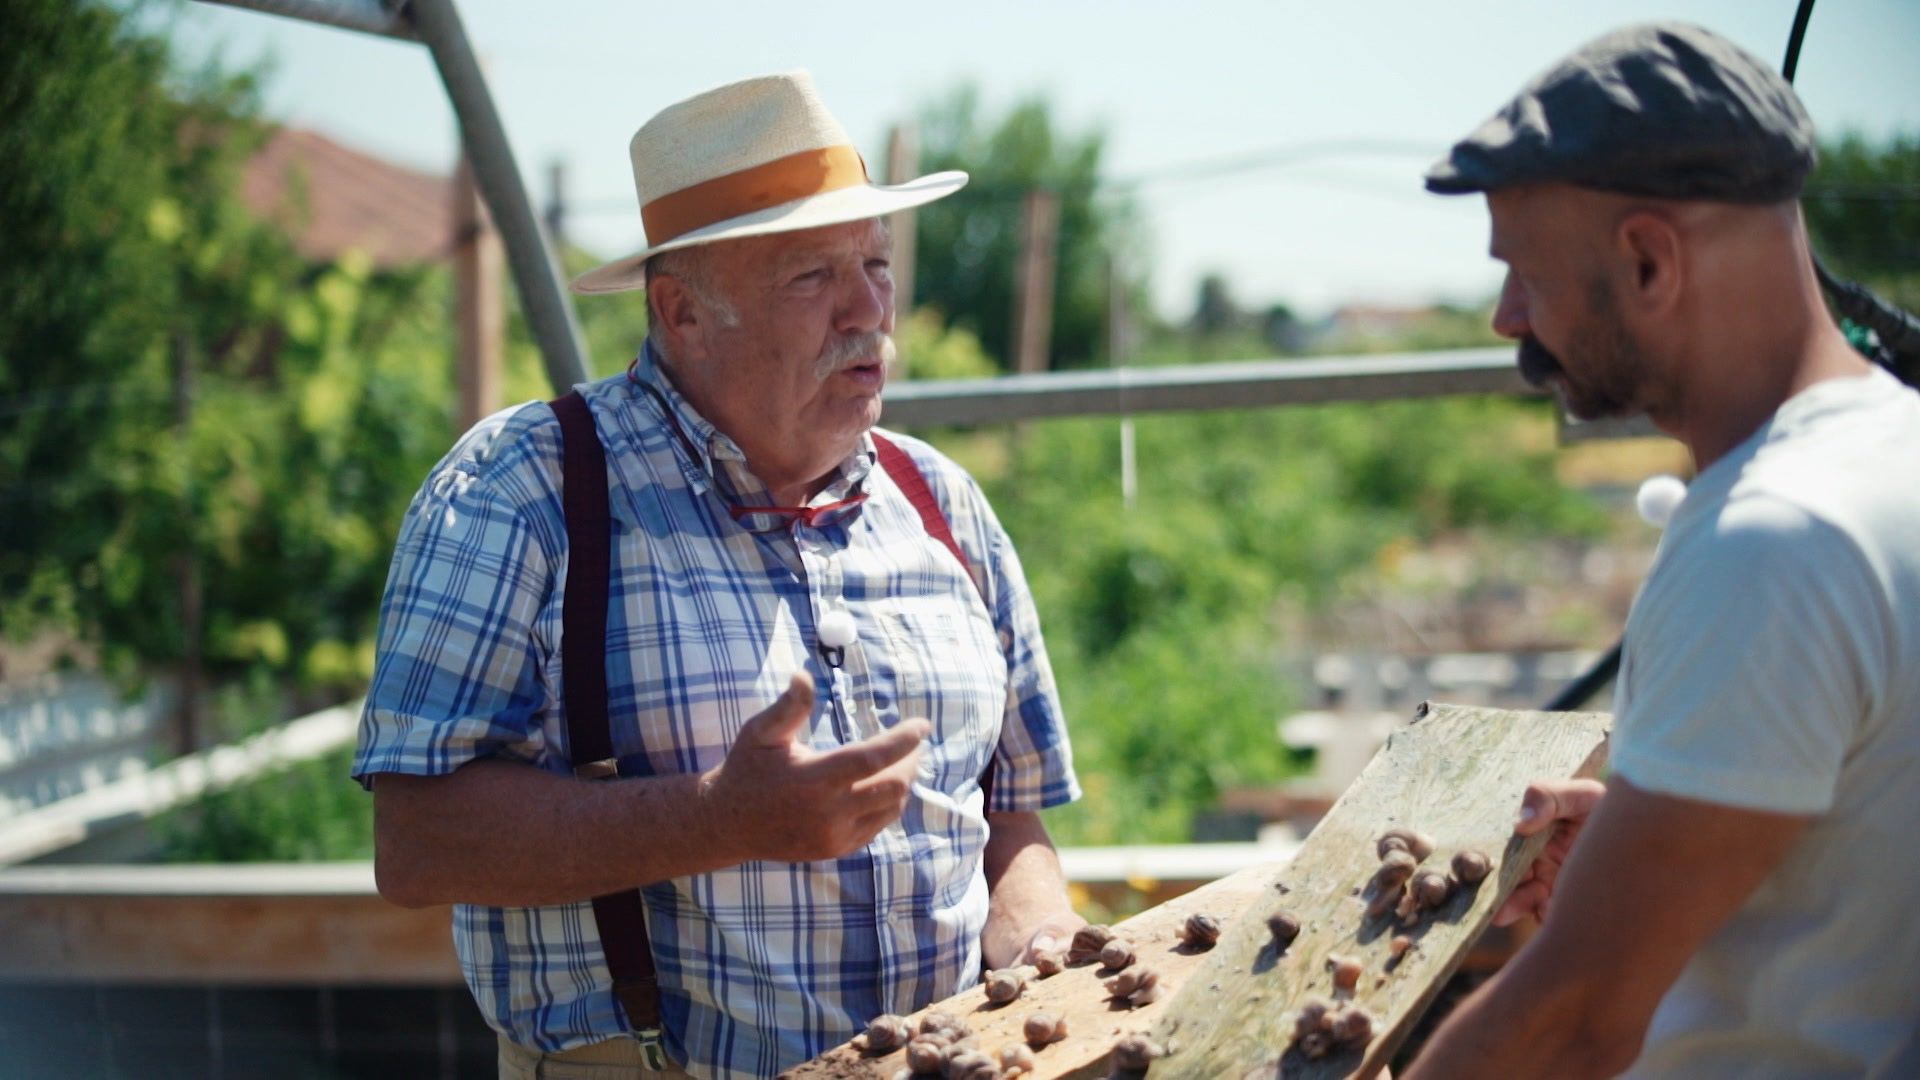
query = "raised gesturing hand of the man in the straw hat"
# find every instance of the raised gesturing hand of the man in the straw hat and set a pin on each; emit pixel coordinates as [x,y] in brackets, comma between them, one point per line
[780,800]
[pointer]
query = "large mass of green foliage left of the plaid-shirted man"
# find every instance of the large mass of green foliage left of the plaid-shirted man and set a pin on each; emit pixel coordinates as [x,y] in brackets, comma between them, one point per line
[183,389]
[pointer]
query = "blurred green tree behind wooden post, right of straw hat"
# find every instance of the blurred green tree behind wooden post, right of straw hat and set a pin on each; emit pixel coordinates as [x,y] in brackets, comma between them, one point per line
[969,243]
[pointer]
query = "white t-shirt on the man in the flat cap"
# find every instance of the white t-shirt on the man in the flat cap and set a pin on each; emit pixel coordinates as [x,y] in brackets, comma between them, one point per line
[1773,662]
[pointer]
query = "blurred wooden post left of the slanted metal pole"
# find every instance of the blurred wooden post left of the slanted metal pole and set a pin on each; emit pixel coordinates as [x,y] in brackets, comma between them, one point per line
[479,310]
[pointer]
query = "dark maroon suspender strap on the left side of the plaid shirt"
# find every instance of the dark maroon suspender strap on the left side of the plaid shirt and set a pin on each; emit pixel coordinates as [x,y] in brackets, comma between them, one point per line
[621,918]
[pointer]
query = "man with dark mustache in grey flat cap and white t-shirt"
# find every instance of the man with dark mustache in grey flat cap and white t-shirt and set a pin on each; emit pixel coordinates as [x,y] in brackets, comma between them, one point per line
[1739,898]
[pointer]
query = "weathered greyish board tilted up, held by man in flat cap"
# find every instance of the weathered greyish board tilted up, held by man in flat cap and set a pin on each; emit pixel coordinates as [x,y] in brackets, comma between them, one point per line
[1458,775]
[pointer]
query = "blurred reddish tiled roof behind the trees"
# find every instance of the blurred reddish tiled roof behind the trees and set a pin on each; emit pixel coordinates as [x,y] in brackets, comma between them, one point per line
[335,199]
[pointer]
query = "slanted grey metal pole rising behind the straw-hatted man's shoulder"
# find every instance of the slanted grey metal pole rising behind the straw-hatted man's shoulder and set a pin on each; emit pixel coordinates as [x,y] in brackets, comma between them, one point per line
[548,312]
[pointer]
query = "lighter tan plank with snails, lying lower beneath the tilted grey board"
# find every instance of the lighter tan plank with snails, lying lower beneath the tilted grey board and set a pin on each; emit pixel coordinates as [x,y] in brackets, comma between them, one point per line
[1093,1021]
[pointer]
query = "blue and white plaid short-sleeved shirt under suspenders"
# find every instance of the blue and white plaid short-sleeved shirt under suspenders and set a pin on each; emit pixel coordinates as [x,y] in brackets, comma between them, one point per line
[761,966]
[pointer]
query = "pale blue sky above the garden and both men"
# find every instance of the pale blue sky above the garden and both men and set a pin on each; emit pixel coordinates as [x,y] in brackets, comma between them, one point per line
[1170,84]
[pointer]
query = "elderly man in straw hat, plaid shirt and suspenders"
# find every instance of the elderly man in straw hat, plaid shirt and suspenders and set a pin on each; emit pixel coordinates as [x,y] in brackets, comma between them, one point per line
[786,679]
